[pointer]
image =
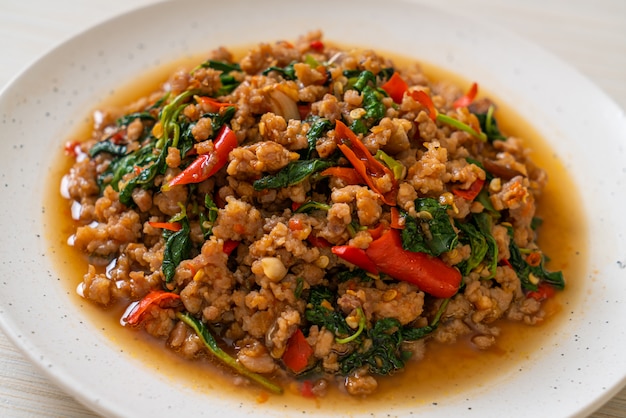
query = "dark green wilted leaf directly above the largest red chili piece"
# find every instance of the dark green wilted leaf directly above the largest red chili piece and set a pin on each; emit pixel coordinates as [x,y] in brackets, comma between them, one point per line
[431,234]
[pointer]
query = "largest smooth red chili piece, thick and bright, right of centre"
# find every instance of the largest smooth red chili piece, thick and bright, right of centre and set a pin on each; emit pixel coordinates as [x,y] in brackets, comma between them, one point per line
[430,274]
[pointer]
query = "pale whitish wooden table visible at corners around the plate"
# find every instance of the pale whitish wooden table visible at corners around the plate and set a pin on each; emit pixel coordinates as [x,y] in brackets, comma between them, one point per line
[589,35]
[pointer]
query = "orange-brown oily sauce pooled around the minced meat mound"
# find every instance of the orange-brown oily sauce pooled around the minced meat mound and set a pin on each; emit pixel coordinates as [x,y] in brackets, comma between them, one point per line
[447,370]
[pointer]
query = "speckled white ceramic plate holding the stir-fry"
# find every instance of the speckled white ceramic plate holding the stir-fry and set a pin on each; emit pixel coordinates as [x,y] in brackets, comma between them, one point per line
[577,369]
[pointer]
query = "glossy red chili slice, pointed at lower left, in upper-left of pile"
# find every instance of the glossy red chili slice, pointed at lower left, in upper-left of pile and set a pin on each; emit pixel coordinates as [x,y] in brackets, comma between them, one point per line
[206,165]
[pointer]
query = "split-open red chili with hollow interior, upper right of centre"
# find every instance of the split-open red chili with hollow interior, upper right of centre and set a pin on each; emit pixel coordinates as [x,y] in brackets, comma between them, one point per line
[364,163]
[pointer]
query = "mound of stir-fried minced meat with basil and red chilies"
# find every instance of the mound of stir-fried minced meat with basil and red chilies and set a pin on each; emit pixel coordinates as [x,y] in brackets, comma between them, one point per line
[309,216]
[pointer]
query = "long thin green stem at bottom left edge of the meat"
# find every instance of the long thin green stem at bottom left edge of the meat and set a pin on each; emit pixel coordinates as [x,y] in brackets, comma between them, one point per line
[211,344]
